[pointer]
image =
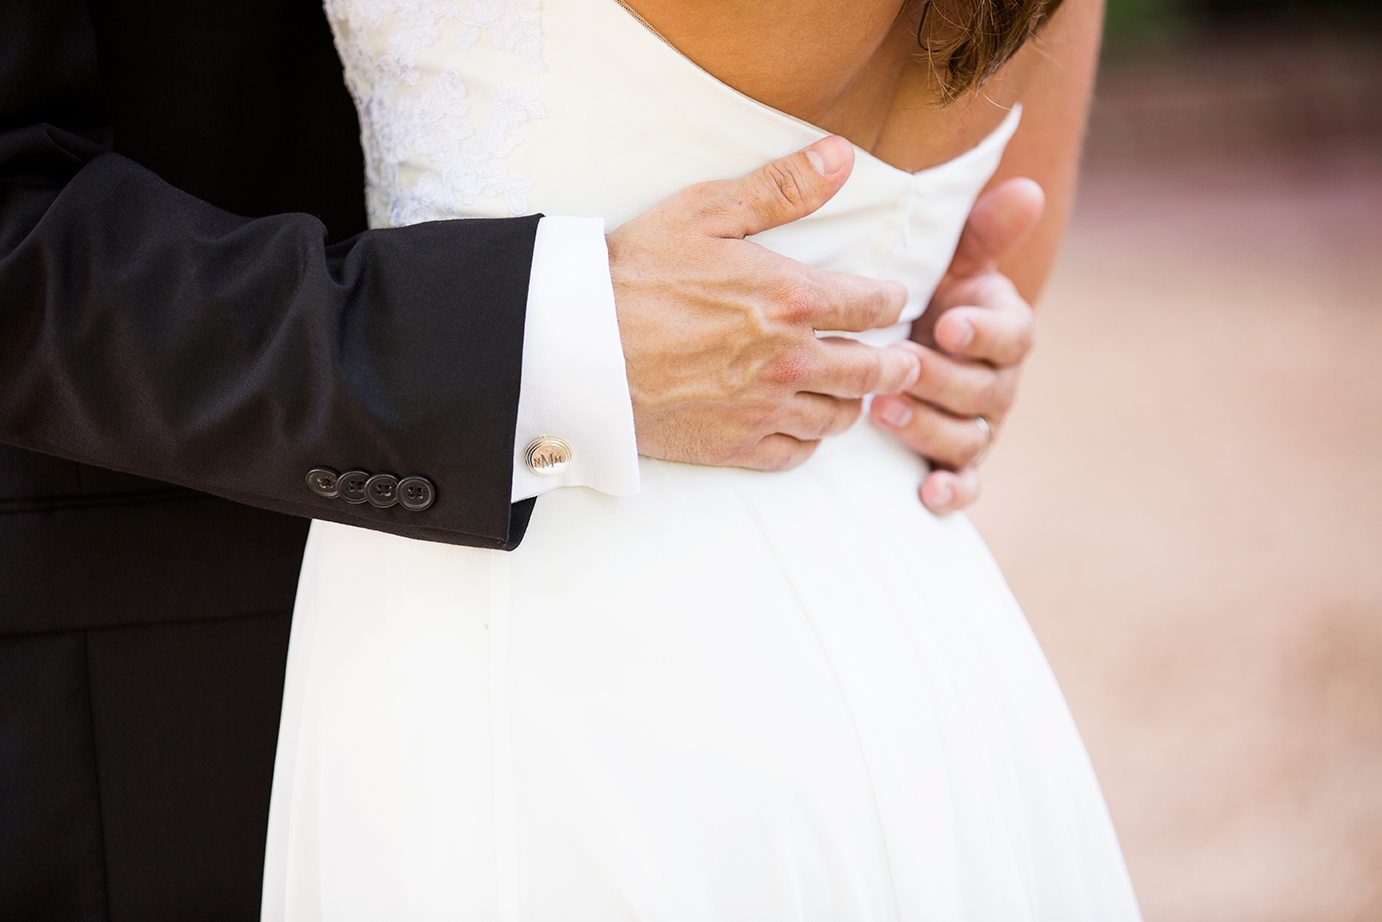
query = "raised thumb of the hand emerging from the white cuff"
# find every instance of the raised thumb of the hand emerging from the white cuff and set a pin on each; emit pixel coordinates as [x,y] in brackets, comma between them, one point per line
[787,190]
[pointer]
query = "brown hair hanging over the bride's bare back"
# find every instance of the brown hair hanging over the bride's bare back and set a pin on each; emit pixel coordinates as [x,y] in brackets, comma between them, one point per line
[967,41]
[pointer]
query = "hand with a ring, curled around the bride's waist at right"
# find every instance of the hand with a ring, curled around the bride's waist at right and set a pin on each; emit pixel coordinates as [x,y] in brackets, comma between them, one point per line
[972,342]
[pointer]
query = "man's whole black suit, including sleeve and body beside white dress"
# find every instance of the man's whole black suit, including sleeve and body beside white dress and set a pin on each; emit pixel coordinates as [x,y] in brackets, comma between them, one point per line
[193,317]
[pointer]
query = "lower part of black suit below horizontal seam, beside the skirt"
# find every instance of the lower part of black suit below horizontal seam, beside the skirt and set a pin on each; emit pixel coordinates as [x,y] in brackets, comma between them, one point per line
[136,765]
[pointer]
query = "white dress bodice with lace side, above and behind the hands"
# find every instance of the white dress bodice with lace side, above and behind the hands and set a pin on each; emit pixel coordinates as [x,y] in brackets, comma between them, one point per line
[577,109]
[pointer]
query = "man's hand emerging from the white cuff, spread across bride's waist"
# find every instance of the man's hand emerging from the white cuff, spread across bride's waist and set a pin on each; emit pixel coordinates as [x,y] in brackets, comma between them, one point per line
[719,334]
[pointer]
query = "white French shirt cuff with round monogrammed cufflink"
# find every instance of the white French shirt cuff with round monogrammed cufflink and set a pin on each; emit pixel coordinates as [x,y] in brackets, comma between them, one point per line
[576,418]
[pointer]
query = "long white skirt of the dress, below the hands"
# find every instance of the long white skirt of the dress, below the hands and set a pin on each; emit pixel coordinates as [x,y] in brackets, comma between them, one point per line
[737,696]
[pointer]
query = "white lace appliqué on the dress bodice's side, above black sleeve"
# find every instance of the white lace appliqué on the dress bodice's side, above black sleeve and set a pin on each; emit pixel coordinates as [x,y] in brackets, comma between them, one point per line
[424,158]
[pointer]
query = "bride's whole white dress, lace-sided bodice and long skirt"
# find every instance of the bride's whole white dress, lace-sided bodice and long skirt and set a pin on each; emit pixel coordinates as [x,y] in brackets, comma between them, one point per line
[735,697]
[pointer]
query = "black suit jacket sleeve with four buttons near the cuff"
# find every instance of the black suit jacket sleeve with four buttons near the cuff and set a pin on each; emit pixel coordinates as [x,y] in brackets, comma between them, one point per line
[146,331]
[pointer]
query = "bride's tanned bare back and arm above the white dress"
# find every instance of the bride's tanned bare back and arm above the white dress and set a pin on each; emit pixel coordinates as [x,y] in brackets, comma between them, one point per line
[858,70]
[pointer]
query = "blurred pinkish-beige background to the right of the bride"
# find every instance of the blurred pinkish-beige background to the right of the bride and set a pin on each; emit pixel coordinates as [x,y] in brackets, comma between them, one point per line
[1188,500]
